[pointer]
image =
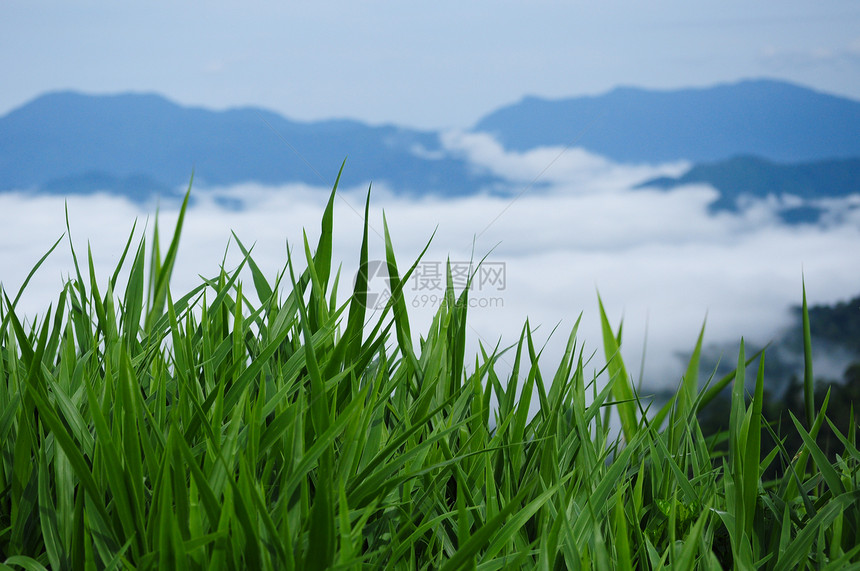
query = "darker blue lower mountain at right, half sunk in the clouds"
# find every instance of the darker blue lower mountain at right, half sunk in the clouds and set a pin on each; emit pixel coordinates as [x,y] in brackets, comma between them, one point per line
[746,176]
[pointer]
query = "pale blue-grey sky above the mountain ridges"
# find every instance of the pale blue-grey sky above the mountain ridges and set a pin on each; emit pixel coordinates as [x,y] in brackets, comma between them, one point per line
[436,65]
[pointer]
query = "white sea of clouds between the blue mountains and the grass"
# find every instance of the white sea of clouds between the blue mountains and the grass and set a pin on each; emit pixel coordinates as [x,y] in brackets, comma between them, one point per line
[572,227]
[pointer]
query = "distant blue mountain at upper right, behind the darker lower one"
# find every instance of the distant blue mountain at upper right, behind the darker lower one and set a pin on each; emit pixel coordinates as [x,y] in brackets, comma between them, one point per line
[771,119]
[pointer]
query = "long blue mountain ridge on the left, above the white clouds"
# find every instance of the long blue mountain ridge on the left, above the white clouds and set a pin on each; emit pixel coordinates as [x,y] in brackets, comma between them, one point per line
[67,142]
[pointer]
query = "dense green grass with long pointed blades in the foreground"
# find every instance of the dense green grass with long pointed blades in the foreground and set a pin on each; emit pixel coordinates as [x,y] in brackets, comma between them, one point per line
[147,429]
